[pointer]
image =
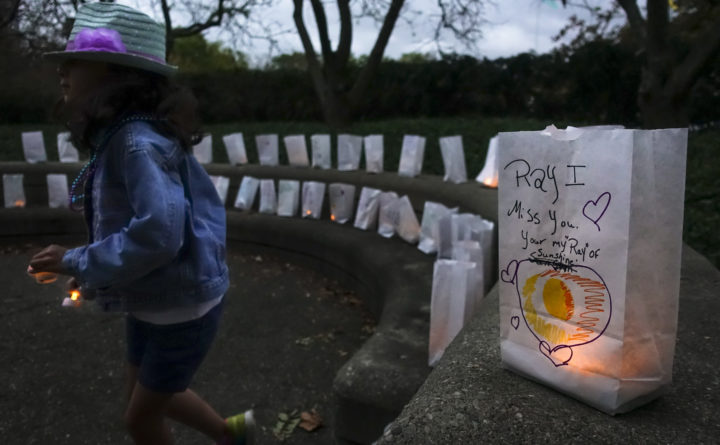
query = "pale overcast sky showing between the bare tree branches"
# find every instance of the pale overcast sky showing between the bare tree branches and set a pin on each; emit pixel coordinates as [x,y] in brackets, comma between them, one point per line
[514,26]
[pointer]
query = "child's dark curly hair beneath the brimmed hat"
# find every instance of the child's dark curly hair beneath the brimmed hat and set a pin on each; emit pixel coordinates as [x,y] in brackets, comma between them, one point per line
[126,91]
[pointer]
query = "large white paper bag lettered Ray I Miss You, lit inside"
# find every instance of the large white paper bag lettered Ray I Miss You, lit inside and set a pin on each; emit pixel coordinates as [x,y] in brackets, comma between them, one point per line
[590,227]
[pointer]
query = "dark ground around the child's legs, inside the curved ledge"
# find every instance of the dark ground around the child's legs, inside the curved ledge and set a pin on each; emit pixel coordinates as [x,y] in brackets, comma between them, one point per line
[285,333]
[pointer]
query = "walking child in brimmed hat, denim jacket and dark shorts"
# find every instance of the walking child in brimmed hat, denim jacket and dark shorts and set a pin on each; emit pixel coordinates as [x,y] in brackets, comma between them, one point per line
[156,224]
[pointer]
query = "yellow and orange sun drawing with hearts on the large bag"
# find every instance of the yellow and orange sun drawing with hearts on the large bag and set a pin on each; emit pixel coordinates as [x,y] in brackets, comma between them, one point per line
[563,307]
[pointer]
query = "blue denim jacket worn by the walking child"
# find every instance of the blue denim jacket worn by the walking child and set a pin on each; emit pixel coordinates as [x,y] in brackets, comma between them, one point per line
[156,226]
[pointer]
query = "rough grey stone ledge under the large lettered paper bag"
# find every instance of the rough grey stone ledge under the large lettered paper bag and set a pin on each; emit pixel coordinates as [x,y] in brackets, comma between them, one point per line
[469,398]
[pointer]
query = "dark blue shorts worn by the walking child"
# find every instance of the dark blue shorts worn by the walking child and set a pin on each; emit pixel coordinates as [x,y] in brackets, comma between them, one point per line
[167,356]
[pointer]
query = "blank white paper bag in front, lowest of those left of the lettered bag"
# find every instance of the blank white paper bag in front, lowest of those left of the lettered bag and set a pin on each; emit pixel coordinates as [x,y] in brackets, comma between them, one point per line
[451,304]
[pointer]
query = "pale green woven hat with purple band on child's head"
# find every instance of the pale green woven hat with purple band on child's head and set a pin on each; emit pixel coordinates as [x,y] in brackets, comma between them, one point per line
[112,33]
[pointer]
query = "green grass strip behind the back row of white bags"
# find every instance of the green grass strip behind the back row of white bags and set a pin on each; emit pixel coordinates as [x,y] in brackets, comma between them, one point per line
[702,195]
